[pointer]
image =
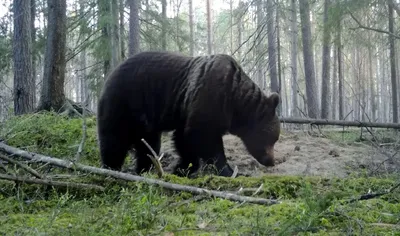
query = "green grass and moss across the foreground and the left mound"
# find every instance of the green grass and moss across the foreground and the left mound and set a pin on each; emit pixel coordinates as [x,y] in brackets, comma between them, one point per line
[310,205]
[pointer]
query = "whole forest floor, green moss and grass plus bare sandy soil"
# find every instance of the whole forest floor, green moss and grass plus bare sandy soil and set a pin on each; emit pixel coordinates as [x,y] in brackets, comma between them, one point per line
[324,181]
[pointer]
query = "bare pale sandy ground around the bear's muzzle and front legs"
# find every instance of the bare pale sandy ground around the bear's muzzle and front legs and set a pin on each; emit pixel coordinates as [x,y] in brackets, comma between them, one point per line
[301,154]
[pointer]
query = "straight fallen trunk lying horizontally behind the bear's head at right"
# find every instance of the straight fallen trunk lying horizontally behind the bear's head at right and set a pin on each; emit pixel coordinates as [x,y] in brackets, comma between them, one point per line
[339,123]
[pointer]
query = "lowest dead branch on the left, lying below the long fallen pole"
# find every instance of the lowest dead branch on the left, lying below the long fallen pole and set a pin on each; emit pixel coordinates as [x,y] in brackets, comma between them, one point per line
[51,183]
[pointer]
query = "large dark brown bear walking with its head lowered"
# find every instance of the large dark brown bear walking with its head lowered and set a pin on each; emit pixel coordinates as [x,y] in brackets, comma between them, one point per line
[199,98]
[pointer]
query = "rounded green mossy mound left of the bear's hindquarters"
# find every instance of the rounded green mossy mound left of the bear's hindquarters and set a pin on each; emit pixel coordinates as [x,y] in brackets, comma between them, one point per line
[51,134]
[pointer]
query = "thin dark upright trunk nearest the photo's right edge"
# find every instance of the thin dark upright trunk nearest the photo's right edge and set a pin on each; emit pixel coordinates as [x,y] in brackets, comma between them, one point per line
[393,64]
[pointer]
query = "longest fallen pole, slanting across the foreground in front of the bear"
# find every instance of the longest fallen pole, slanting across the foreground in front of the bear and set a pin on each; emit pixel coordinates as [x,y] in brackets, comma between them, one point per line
[129,177]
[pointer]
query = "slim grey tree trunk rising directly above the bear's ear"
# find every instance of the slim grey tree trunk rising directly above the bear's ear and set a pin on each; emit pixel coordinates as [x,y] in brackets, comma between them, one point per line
[272,47]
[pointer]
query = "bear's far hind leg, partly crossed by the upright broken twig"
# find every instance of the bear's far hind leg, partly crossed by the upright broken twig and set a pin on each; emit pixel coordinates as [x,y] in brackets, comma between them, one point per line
[143,162]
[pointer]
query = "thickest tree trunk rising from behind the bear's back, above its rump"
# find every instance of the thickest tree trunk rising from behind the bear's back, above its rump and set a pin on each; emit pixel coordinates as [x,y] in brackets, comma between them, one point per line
[134,27]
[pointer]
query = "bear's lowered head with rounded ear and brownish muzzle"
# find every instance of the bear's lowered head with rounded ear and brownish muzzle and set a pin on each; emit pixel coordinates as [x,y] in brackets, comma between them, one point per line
[262,135]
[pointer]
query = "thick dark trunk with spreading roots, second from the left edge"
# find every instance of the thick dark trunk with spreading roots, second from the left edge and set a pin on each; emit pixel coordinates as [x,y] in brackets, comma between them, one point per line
[52,95]
